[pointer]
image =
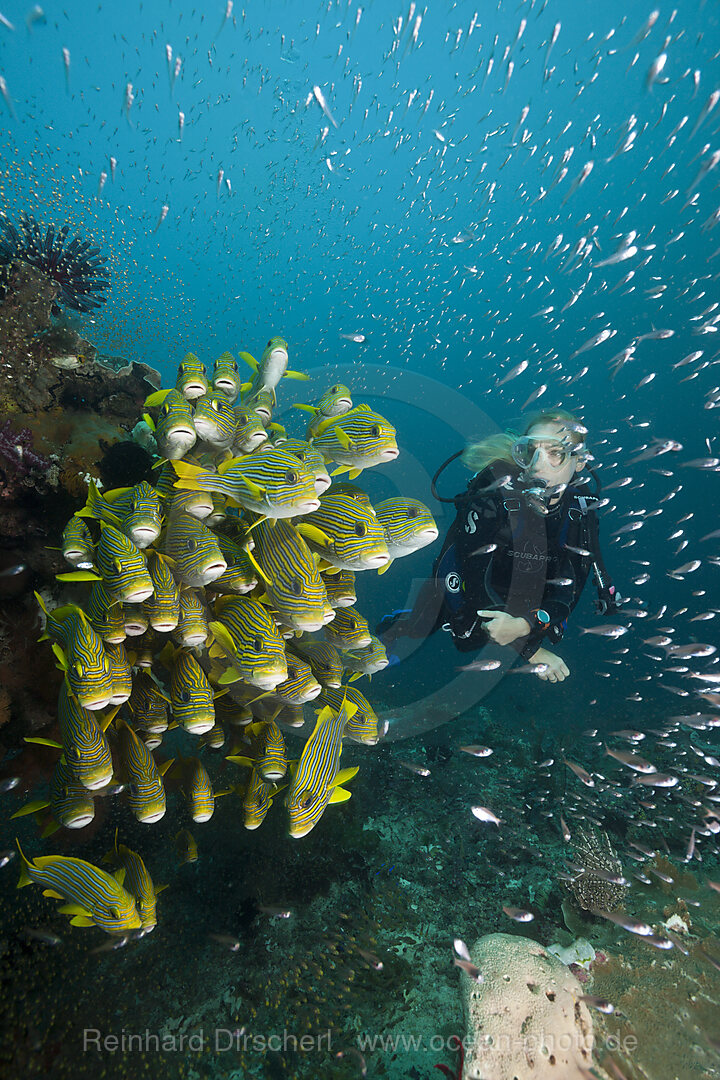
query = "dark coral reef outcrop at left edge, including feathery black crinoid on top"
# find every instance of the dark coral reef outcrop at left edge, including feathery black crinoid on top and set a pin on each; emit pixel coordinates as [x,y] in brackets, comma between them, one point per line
[63,412]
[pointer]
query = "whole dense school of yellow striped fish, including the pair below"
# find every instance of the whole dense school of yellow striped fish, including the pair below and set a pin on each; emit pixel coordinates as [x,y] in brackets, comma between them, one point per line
[205,598]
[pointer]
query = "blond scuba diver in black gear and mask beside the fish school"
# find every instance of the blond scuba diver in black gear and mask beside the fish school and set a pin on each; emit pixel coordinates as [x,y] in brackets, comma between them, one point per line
[523,545]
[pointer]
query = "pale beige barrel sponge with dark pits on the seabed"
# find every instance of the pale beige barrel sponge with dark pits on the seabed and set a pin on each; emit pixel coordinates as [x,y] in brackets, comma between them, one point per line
[525,1021]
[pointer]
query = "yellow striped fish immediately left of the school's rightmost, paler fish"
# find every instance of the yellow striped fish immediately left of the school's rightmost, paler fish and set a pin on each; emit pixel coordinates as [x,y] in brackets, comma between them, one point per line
[345,534]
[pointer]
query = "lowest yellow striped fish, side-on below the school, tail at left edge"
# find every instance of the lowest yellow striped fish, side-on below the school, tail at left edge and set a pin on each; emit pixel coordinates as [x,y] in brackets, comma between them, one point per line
[96,898]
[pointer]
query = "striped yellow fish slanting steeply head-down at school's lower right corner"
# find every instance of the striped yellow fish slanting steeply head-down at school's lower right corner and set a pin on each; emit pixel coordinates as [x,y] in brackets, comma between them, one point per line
[317,780]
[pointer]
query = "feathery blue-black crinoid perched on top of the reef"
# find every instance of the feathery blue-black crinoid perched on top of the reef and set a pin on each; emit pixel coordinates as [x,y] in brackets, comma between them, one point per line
[77,268]
